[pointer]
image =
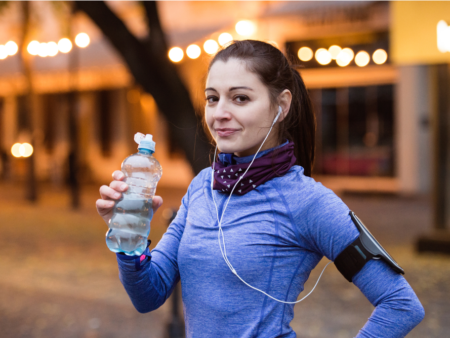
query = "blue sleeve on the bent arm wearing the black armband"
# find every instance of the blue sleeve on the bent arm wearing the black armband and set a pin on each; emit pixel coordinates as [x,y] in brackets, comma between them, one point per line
[397,308]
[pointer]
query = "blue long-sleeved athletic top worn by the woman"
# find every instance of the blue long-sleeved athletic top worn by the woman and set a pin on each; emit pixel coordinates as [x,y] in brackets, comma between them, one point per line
[274,235]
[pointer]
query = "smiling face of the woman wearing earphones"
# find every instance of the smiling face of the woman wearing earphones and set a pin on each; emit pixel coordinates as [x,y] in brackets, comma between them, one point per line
[238,110]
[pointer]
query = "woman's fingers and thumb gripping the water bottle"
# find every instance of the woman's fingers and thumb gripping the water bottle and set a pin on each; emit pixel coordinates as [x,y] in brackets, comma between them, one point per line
[112,193]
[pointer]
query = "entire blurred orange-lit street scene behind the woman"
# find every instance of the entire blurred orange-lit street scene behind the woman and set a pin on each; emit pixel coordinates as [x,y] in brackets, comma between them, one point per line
[79,78]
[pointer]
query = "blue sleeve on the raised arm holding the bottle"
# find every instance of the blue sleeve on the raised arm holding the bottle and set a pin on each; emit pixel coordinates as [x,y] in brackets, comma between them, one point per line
[149,287]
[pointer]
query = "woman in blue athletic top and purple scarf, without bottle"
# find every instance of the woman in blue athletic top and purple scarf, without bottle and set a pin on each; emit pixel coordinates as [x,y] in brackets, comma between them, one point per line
[256,218]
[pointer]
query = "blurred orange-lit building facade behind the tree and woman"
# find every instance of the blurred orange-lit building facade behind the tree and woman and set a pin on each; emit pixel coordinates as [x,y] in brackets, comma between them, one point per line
[373,114]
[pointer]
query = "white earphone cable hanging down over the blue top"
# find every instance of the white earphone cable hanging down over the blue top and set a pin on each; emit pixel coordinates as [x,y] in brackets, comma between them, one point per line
[220,232]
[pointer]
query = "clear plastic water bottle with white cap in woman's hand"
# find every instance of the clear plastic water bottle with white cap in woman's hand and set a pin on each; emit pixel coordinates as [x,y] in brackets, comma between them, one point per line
[129,226]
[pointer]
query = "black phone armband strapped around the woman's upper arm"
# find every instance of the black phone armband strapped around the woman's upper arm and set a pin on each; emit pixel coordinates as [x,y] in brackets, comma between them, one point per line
[352,259]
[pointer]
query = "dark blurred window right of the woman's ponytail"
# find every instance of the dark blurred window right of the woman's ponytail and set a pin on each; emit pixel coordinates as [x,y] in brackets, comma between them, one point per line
[354,130]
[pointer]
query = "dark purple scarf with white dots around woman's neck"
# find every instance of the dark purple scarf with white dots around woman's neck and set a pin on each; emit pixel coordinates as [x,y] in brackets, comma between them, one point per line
[262,170]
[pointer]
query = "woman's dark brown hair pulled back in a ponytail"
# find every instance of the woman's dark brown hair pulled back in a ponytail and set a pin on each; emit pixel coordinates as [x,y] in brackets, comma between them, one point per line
[278,74]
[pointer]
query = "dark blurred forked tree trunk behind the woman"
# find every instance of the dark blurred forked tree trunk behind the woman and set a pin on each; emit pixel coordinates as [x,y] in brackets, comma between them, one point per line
[150,66]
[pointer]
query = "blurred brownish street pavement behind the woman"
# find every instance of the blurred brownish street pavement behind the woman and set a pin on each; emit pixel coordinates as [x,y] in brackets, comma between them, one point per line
[59,279]
